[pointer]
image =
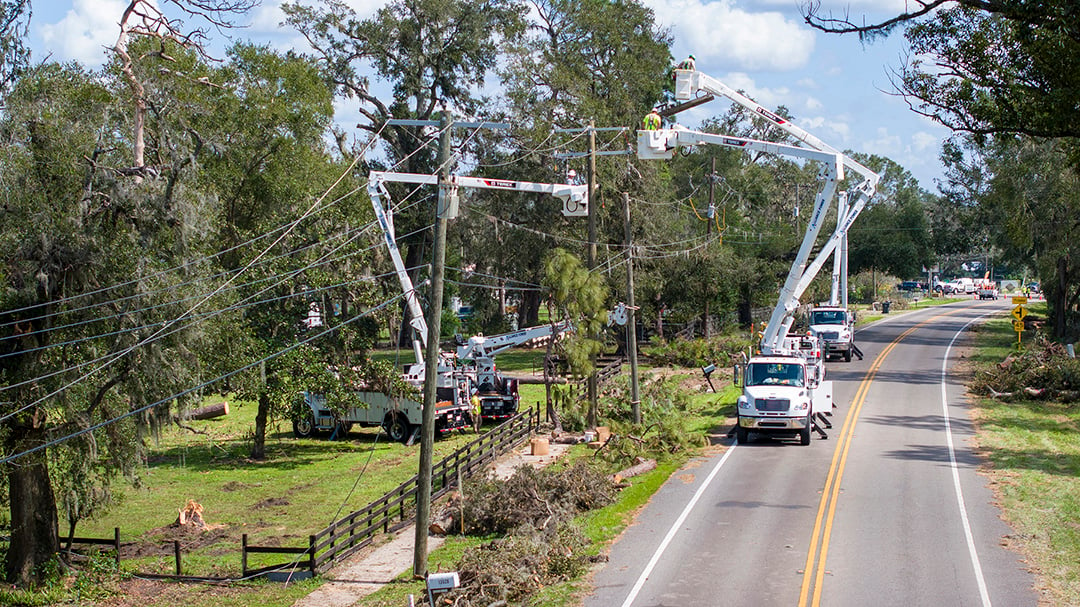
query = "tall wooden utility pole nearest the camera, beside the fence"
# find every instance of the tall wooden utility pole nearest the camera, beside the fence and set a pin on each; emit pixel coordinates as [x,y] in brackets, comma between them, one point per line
[431,355]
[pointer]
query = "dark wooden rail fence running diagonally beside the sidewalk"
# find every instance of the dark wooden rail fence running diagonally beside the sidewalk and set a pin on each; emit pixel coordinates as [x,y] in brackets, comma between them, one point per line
[397,508]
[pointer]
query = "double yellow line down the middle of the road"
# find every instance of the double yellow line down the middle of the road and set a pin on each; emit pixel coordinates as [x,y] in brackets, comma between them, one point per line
[819,543]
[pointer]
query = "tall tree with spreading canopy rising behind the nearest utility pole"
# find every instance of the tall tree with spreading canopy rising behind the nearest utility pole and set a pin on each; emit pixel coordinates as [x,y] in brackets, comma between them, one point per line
[434,55]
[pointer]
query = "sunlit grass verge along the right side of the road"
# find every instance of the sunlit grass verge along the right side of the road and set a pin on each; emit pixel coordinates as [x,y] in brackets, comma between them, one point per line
[1034,451]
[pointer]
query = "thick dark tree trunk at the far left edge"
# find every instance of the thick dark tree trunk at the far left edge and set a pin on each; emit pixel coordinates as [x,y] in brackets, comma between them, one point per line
[35,531]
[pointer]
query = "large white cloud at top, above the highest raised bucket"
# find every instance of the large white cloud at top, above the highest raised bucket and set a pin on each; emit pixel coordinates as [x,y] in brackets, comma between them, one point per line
[720,34]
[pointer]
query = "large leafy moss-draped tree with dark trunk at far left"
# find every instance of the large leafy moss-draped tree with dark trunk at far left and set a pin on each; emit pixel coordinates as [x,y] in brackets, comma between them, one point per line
[77,232]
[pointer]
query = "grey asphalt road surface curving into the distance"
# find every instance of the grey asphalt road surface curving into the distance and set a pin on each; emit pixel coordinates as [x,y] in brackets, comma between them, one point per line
[890,510]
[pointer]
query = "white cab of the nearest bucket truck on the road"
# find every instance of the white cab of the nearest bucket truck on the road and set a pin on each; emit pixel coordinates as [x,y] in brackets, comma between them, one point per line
[781,396]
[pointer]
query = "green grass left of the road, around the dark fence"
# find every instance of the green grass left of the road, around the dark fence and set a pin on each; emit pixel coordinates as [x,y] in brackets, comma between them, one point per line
[298,491]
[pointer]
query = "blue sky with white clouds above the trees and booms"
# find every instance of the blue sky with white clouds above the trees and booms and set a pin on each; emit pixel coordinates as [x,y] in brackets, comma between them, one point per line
[835,87]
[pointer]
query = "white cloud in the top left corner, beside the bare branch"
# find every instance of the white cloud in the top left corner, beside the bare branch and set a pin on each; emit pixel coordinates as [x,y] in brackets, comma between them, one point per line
[85,32]
